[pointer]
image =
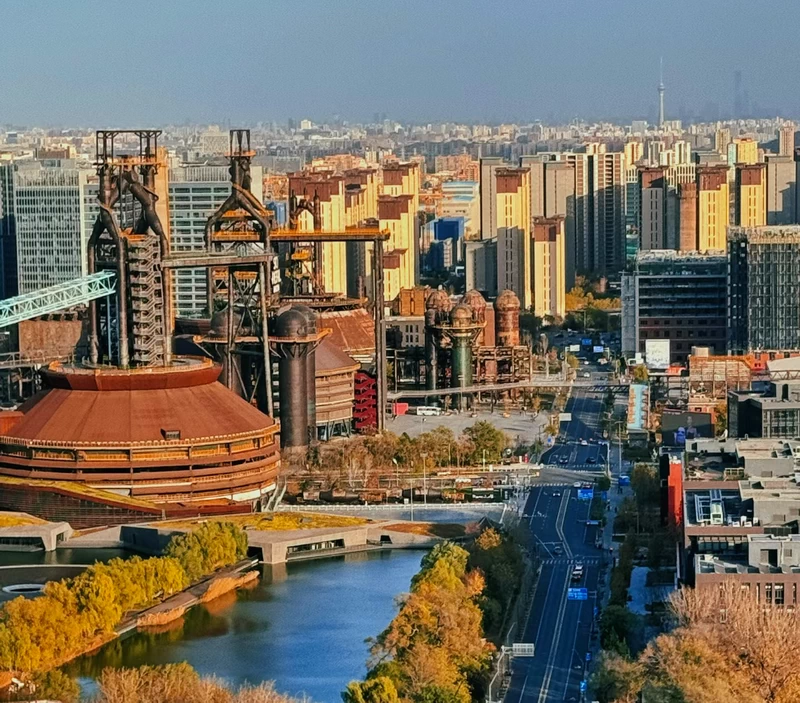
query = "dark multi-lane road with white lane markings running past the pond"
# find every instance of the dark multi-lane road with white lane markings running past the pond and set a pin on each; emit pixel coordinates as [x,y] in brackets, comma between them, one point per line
[561,629]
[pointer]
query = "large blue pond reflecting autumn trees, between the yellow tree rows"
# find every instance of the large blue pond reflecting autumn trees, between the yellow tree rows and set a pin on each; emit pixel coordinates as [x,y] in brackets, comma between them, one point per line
[303,625]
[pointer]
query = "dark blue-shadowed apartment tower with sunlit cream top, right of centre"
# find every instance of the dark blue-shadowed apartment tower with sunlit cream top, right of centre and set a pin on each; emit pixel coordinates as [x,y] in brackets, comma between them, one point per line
[608,227]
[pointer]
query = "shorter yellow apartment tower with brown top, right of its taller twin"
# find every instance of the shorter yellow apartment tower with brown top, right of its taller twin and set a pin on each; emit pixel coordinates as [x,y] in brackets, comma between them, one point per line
[549,273]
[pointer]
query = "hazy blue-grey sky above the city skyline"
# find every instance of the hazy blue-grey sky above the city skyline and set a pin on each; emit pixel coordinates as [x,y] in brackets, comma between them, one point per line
[151,62]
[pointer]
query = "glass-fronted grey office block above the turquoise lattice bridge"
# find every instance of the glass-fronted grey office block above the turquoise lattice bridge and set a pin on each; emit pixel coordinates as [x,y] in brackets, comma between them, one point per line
[50,224]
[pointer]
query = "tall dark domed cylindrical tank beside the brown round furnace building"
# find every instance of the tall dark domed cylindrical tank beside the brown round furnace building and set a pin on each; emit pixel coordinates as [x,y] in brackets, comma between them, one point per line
[291,325]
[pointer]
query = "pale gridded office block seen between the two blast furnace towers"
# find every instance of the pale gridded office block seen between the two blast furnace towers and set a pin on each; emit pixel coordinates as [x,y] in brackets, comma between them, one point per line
[195,193]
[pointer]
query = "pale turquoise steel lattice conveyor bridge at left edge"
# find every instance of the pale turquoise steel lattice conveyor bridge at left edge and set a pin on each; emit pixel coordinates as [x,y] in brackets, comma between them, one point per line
[78,291]
